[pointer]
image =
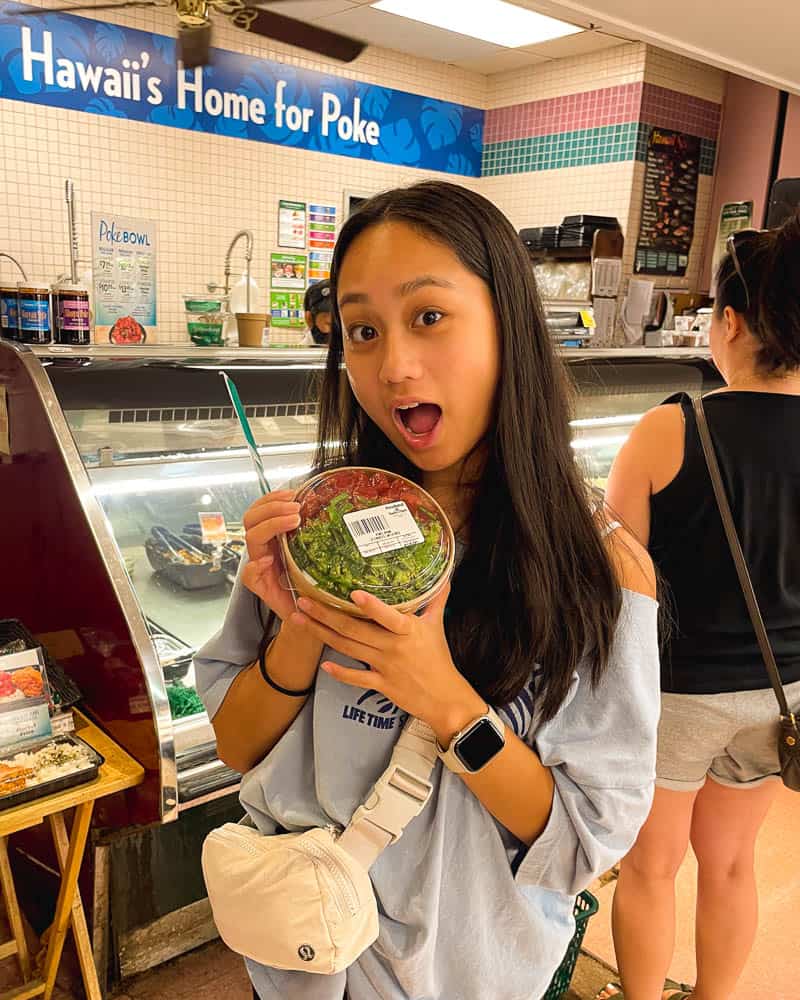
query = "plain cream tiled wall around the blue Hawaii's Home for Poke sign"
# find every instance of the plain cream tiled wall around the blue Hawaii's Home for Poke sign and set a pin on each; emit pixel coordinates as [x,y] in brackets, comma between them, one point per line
[198,188]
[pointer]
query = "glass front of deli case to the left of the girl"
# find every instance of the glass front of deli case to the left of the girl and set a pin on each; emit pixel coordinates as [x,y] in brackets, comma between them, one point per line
[167,462]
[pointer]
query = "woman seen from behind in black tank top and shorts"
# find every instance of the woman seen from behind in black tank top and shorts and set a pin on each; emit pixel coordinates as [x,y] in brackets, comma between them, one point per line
[719,718]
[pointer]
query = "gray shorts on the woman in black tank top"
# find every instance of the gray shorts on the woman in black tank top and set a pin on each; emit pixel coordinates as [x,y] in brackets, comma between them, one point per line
[730,737]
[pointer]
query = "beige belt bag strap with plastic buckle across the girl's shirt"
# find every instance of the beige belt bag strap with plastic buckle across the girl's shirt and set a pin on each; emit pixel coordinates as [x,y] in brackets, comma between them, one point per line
[400,794]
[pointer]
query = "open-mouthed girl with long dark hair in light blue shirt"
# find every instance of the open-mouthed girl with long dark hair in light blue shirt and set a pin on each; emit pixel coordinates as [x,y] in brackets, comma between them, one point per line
[453,382]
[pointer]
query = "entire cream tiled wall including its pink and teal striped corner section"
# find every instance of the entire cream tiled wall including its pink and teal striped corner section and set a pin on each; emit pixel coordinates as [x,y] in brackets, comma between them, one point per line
[561,137]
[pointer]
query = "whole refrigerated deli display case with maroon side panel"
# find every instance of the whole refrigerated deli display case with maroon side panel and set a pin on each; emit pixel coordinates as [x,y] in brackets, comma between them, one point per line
[124,478]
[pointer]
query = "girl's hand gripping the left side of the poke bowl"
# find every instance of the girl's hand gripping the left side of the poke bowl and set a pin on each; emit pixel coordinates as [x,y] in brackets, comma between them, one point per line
[265,520]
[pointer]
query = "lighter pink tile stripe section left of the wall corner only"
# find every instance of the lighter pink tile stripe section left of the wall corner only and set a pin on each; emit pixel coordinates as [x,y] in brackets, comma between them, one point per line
[591,109]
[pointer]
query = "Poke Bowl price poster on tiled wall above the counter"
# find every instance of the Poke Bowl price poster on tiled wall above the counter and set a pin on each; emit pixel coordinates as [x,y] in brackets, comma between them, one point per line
[124,269]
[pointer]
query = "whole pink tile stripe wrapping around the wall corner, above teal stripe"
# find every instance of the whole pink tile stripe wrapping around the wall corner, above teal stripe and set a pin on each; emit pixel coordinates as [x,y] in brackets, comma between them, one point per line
[609,106]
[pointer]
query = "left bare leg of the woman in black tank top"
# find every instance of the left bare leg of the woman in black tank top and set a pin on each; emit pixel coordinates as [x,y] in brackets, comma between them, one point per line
[643,916]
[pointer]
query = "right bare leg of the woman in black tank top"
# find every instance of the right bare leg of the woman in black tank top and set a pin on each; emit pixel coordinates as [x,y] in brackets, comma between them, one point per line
[725,826]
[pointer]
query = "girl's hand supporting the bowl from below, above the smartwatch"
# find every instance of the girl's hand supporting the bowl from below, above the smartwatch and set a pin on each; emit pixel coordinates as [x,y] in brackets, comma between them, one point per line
[408,657]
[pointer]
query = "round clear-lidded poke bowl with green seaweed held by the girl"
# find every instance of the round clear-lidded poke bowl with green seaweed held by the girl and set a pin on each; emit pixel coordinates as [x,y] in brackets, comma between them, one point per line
[365,529]
